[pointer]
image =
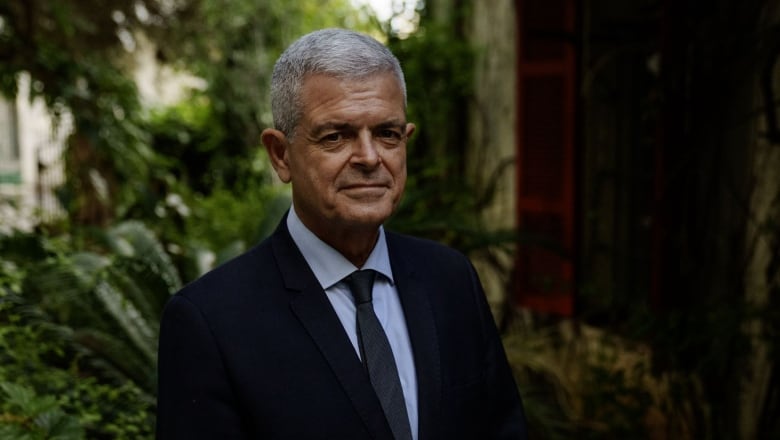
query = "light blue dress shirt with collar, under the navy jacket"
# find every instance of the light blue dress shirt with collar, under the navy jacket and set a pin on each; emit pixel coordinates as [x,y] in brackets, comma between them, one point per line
[330,268]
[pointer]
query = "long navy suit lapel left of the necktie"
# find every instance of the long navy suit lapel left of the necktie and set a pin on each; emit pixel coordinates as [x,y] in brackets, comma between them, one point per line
[312,308]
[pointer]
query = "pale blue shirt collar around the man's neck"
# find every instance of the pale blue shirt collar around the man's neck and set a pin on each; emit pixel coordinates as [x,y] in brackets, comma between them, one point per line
[328,265]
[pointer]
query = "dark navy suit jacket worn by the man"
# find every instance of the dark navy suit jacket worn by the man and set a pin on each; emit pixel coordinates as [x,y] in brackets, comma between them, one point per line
[254,350]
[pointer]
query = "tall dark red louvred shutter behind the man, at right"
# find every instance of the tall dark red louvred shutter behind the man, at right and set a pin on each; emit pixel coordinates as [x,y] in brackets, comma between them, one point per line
[546,126]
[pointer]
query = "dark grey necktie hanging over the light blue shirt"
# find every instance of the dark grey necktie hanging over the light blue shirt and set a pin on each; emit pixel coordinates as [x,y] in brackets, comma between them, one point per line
[378,356]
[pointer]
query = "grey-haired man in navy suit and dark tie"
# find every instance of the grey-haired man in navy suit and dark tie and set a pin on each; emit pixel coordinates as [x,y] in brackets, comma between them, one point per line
[291,340]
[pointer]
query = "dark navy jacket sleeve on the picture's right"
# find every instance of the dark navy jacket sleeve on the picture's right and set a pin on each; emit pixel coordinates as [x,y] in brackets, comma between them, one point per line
[506,406]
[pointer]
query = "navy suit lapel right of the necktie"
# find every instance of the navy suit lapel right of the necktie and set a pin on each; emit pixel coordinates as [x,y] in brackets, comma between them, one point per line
[420,323]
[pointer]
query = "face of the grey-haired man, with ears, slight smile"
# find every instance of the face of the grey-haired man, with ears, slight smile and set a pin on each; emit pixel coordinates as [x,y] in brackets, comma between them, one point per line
[347,159]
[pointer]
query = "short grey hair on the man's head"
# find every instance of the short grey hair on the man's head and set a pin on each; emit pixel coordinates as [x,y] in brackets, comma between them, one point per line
[340,53]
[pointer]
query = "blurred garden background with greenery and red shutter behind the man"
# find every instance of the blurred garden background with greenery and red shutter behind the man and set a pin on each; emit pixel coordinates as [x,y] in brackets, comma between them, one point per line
[612,168]
